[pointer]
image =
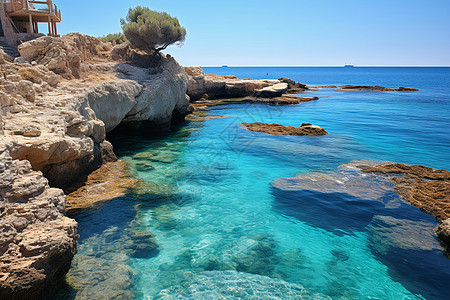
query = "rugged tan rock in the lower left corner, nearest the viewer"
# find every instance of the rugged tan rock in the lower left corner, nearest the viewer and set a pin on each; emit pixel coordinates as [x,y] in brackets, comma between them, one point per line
[37,240]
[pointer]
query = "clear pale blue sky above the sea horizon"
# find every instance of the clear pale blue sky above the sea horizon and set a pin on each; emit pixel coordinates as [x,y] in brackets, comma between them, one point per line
[290,32]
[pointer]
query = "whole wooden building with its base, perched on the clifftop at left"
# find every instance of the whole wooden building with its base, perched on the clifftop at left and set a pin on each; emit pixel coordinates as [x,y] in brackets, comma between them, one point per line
[20,18]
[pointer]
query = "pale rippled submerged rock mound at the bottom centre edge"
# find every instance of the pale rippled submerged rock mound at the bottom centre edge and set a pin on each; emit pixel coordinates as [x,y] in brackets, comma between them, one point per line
[236,285]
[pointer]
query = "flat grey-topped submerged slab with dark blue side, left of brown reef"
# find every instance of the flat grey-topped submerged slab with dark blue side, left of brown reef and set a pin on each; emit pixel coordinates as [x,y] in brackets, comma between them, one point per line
[349,199]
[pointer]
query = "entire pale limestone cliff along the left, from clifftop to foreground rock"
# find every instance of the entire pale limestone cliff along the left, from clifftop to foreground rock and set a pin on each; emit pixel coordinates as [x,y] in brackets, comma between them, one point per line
[57,103]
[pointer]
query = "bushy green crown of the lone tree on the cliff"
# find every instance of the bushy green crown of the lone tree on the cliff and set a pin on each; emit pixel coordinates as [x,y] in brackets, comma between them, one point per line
[149,30]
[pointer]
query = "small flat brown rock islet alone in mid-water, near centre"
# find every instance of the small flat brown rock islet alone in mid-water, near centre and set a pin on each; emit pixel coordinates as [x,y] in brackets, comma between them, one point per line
[307,129]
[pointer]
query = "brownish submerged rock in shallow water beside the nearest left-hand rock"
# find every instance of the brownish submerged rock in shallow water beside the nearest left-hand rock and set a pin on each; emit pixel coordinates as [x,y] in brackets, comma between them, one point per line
[98,272]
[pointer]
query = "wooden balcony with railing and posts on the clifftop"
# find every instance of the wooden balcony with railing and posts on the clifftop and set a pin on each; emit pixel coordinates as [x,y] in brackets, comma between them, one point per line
[24,15]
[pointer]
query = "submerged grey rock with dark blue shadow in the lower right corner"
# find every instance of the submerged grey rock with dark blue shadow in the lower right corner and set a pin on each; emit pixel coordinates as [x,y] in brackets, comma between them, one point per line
[414,244]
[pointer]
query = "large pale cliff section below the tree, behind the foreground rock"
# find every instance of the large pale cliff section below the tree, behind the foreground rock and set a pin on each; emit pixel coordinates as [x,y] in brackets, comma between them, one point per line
[58,121]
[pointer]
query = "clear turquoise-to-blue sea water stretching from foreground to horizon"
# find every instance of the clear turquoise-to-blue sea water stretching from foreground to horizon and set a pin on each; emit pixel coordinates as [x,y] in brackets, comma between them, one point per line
[223,230]
